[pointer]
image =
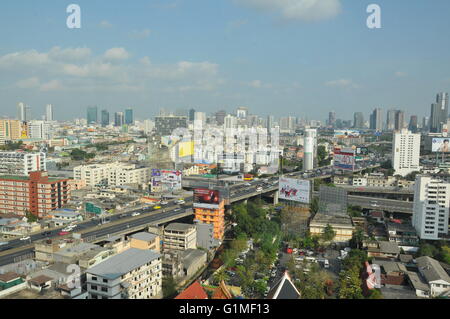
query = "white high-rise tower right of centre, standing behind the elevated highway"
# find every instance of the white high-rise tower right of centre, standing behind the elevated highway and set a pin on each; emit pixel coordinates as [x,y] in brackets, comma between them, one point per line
[405,152]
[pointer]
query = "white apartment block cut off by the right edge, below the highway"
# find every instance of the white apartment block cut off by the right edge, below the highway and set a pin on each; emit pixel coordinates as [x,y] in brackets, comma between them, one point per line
[431,207]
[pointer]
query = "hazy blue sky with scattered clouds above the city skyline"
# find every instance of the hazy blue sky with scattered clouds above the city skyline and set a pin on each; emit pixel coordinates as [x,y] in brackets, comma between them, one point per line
[299,58]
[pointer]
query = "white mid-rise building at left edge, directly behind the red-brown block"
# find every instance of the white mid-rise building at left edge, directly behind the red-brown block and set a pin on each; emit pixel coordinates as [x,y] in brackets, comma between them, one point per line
[21,163]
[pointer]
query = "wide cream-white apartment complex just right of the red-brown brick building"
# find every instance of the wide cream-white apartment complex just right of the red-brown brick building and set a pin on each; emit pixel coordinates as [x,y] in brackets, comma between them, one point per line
[112,174]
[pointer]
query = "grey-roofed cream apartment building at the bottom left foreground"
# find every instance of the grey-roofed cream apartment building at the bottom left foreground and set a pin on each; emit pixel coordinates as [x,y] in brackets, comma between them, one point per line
[132,274]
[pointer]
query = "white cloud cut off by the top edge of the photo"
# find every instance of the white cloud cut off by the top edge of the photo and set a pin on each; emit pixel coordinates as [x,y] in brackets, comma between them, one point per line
[304,10]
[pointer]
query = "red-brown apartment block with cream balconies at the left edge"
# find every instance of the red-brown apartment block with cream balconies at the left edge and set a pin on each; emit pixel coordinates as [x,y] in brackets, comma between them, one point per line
[36,193]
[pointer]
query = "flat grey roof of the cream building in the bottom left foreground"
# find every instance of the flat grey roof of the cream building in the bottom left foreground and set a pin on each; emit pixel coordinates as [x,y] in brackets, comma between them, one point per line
[123,263]
